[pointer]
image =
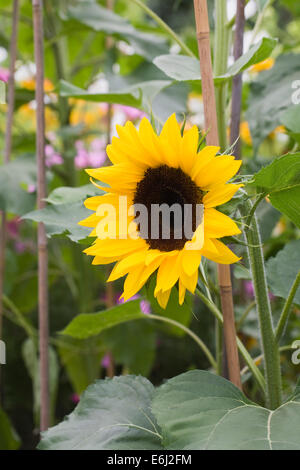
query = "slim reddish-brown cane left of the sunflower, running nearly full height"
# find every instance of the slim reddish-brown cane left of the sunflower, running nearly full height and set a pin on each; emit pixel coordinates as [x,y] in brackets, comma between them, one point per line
[41,194]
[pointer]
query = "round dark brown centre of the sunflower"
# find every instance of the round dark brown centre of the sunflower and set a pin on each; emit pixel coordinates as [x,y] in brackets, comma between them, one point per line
[167,187]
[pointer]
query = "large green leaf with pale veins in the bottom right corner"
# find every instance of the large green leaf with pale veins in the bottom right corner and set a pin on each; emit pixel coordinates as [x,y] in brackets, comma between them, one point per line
[199,410]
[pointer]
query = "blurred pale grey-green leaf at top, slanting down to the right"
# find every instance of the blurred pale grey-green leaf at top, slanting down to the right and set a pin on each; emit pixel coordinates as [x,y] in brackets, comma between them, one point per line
[101,19]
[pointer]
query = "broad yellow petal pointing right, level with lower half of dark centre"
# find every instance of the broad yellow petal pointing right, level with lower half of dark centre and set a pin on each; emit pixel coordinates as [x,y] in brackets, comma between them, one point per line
[218,225]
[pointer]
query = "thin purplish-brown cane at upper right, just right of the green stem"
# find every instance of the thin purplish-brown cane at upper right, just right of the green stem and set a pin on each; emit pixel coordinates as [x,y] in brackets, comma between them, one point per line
[237,81]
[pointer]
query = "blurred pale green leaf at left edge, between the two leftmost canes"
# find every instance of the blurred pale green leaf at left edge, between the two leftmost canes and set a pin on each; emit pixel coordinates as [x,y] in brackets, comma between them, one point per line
[13,198]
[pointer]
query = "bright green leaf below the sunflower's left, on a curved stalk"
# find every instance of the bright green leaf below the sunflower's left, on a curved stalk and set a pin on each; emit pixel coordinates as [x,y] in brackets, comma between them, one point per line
[91,324]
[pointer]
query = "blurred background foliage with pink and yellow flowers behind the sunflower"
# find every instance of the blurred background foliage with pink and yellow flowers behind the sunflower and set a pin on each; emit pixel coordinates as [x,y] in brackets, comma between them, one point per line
[111,55]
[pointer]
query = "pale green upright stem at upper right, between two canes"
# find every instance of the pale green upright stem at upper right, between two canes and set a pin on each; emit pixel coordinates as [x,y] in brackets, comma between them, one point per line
[221,48]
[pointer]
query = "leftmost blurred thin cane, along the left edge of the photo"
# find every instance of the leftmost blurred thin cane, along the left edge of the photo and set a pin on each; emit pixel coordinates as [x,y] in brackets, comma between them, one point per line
[8,138]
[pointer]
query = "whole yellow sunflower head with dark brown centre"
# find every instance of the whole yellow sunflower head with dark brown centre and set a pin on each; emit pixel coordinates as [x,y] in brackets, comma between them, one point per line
[162,169]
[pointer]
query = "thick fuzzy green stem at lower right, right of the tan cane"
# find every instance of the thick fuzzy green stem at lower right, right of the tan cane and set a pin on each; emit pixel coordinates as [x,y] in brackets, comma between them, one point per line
[269,344]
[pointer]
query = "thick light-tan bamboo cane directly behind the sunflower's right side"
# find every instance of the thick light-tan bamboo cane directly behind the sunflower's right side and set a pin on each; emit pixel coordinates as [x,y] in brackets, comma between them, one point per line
[202,29]
